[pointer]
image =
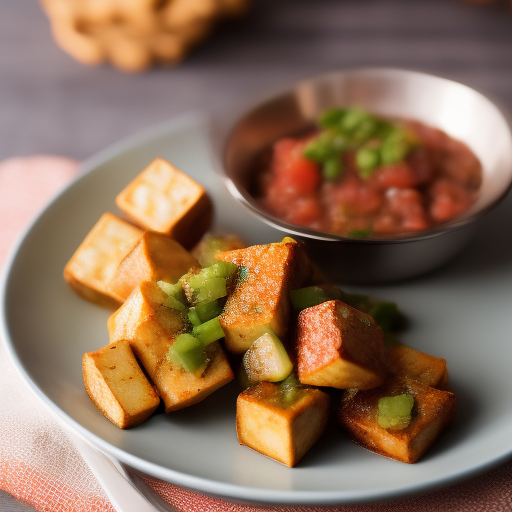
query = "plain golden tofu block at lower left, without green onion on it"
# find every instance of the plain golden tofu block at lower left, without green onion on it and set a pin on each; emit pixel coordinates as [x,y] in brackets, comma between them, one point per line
[118,387]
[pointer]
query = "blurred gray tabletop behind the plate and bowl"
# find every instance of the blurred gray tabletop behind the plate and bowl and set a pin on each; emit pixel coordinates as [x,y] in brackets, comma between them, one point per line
[51,104]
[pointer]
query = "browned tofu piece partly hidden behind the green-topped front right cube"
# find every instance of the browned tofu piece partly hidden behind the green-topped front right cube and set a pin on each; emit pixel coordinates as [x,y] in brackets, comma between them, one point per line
[408,363]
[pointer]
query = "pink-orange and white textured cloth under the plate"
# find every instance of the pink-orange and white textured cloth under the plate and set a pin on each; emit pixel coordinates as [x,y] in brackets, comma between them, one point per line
[40,465]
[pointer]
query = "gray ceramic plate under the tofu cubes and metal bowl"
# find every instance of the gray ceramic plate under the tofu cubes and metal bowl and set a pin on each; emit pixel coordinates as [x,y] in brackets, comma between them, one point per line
[461,313]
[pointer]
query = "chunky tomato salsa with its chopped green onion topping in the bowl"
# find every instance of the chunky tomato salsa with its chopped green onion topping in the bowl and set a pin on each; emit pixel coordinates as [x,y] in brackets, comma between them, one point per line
[360,175]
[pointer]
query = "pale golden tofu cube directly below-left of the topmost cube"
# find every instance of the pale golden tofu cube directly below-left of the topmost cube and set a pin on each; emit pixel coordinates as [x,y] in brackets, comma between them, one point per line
[91,268]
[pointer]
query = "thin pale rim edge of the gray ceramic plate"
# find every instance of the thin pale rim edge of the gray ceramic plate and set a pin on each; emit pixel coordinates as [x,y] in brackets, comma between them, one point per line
[222,490]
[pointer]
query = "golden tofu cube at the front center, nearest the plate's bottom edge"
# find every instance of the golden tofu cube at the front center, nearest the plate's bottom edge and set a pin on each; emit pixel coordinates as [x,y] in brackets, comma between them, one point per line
[278,428]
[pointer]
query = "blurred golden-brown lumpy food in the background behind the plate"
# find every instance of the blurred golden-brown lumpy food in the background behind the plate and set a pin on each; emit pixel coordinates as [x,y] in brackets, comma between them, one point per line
[135,34]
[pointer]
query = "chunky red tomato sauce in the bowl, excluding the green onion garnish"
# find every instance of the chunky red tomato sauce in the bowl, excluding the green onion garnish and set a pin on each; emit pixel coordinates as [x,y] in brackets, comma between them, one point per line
[436,180]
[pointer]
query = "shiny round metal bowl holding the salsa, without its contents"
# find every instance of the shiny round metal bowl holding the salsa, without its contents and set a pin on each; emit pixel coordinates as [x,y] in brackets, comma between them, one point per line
[460,111]
